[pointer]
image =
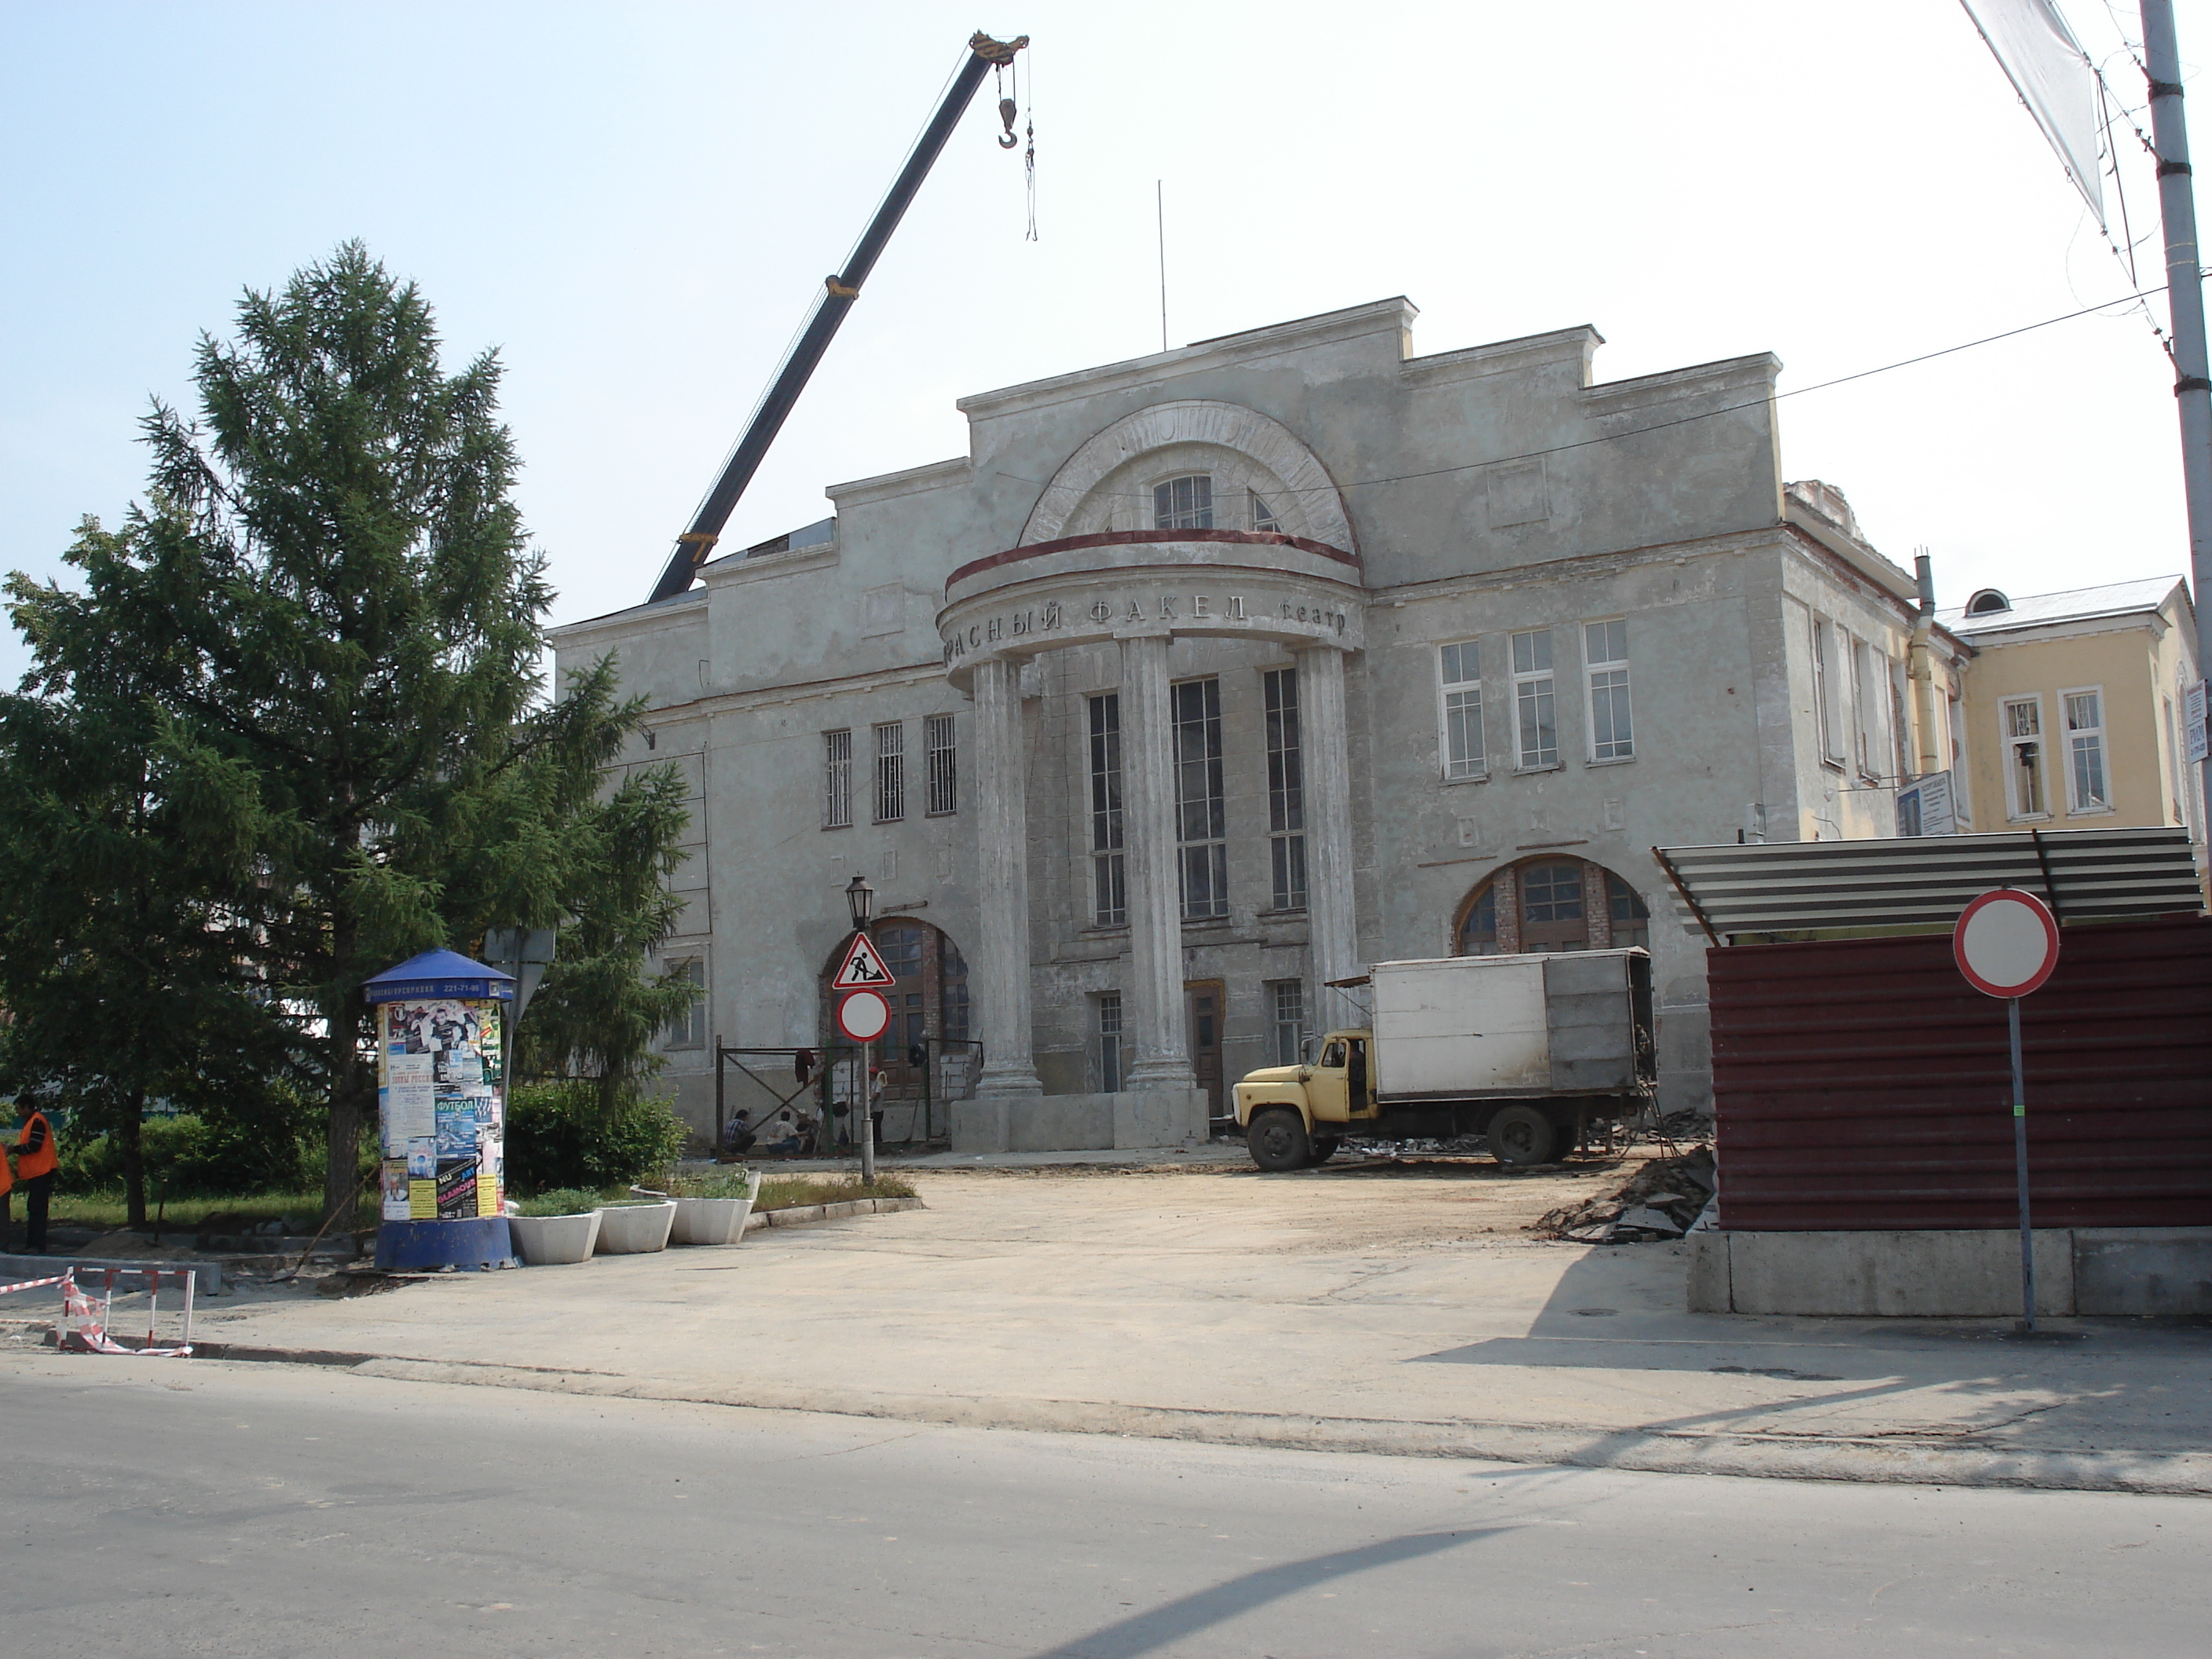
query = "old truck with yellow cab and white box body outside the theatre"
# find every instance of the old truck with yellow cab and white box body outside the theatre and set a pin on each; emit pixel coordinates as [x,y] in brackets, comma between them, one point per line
[1527,1052]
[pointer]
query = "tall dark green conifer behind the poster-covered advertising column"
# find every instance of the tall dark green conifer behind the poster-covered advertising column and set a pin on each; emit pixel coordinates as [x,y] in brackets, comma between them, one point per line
[348,629]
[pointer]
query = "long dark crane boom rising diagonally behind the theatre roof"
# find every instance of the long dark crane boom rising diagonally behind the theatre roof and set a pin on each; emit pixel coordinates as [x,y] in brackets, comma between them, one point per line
[839,293]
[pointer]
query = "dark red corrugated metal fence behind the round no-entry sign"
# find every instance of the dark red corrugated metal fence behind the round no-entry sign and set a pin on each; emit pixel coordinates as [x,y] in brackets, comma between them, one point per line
[1864,1085]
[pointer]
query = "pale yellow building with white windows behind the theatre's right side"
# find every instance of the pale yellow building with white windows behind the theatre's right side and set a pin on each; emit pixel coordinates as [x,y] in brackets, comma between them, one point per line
[2074,707]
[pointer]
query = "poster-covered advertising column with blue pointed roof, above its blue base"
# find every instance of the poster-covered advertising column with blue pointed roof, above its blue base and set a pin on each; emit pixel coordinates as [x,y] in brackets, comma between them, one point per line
[441,1089]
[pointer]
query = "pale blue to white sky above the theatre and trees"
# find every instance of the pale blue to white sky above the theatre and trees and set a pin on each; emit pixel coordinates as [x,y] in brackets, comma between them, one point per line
[636,205]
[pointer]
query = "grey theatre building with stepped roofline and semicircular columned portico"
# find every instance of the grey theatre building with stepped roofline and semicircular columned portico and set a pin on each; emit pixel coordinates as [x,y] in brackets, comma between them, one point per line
[1209,678]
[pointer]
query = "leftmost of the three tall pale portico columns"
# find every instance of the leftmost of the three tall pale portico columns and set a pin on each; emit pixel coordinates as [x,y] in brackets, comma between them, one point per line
[1001,974]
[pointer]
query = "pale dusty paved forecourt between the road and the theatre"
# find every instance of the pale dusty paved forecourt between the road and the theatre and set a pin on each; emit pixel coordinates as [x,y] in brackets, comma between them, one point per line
[1333,1308]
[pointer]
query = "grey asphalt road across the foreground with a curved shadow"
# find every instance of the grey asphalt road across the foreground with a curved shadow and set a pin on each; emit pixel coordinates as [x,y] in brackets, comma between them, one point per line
[253,1510]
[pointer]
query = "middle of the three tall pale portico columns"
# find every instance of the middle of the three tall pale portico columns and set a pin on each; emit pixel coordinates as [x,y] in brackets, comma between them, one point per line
[1156,897]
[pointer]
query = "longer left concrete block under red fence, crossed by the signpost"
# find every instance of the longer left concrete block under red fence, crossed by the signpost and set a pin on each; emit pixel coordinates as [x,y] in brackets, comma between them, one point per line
[1930,1275]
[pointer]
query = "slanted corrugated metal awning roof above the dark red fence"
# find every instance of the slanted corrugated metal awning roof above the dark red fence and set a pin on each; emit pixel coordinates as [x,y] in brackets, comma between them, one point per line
[1804,886]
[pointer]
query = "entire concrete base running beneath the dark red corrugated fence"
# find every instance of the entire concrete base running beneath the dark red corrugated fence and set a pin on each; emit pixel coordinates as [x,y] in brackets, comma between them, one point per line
[1952,1275]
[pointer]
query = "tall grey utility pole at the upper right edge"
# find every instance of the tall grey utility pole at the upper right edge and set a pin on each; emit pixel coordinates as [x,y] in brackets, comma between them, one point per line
[2187,309]
